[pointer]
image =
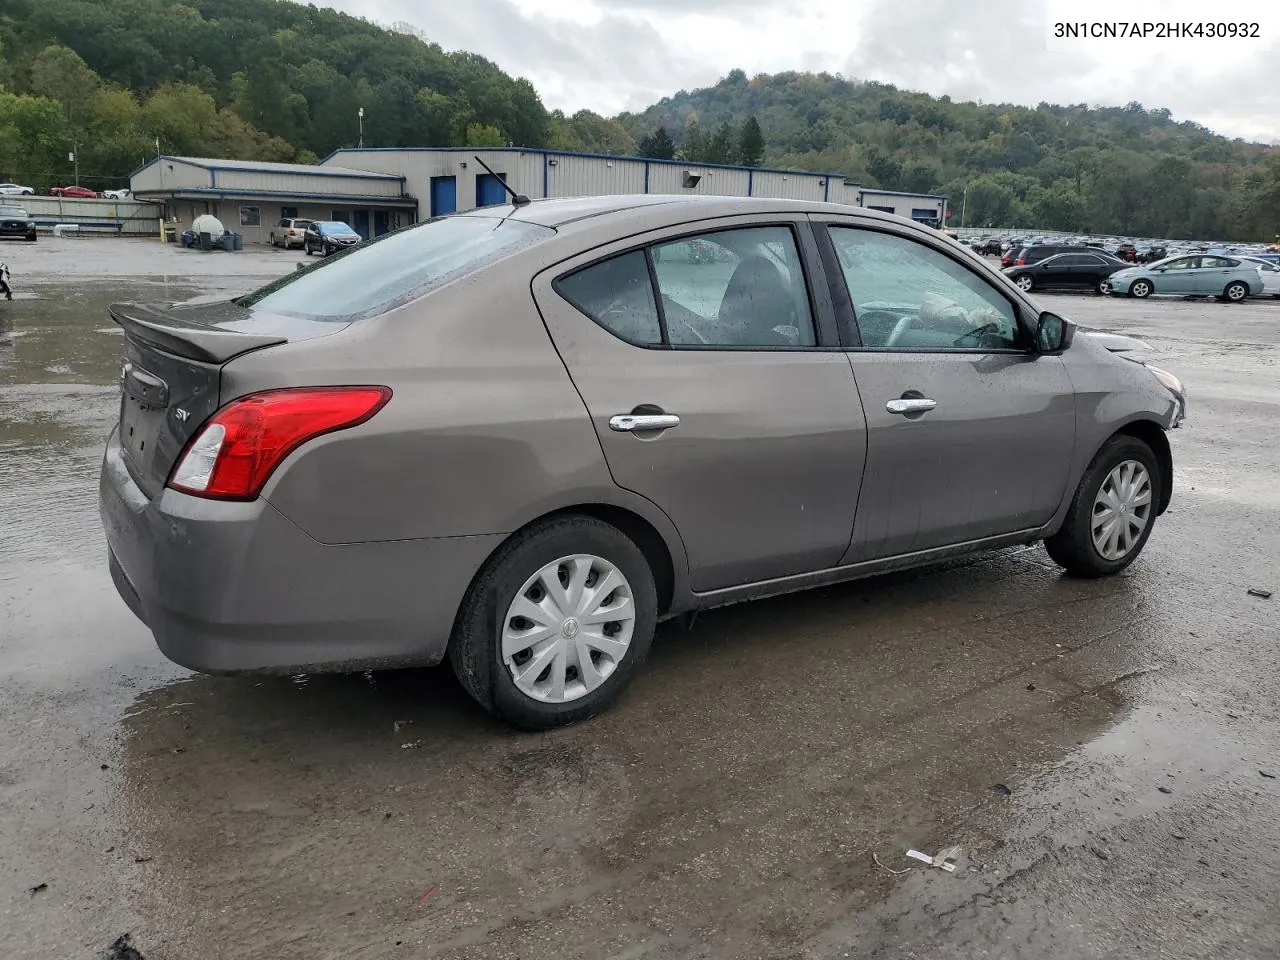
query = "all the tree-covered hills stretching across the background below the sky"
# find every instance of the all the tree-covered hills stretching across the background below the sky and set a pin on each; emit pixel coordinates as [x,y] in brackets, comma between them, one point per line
[273,80]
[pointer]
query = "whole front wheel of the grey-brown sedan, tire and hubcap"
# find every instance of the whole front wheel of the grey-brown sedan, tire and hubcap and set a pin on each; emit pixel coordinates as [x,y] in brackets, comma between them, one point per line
[1113,511]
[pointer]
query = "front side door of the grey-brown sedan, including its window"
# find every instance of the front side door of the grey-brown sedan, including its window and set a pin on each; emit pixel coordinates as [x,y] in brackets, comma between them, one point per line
[971,433]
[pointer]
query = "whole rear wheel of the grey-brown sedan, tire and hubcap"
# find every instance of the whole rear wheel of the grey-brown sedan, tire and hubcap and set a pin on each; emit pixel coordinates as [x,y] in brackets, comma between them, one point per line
[556,624]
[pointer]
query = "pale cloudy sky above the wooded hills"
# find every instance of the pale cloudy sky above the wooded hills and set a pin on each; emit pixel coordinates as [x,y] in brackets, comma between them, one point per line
[611,56]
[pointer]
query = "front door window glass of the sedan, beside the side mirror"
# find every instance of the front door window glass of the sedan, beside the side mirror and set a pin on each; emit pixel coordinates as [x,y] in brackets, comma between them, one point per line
[908,296]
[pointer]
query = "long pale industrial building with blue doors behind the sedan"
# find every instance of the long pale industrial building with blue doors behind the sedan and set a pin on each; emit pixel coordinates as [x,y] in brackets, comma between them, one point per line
[380,189]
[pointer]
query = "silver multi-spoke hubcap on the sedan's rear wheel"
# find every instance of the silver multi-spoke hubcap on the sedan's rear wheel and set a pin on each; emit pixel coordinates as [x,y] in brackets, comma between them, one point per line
[569,629]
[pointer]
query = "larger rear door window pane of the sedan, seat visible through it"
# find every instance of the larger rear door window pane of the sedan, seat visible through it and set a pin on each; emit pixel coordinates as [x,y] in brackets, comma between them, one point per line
[734,289]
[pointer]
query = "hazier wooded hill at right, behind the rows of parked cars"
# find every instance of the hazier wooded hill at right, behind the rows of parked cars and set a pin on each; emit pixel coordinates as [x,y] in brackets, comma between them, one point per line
[1121,170]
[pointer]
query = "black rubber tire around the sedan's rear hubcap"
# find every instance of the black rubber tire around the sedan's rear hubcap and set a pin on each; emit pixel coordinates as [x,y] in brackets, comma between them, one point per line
[477,647]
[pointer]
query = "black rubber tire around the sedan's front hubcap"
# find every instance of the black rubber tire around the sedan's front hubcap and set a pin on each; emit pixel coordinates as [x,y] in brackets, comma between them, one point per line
[1073,547]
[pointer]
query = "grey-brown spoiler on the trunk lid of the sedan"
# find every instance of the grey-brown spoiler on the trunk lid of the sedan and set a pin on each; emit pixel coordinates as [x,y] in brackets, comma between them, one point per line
[189,332]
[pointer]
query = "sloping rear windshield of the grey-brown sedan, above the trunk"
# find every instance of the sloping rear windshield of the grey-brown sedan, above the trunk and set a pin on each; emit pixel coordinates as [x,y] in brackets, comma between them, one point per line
[396,268]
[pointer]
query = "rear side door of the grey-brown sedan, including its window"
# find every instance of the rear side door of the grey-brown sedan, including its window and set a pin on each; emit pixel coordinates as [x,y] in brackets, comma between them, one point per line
[719,391]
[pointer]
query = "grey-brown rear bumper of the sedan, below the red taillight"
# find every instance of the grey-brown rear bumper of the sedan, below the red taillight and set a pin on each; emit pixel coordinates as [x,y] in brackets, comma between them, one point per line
[237,588]
